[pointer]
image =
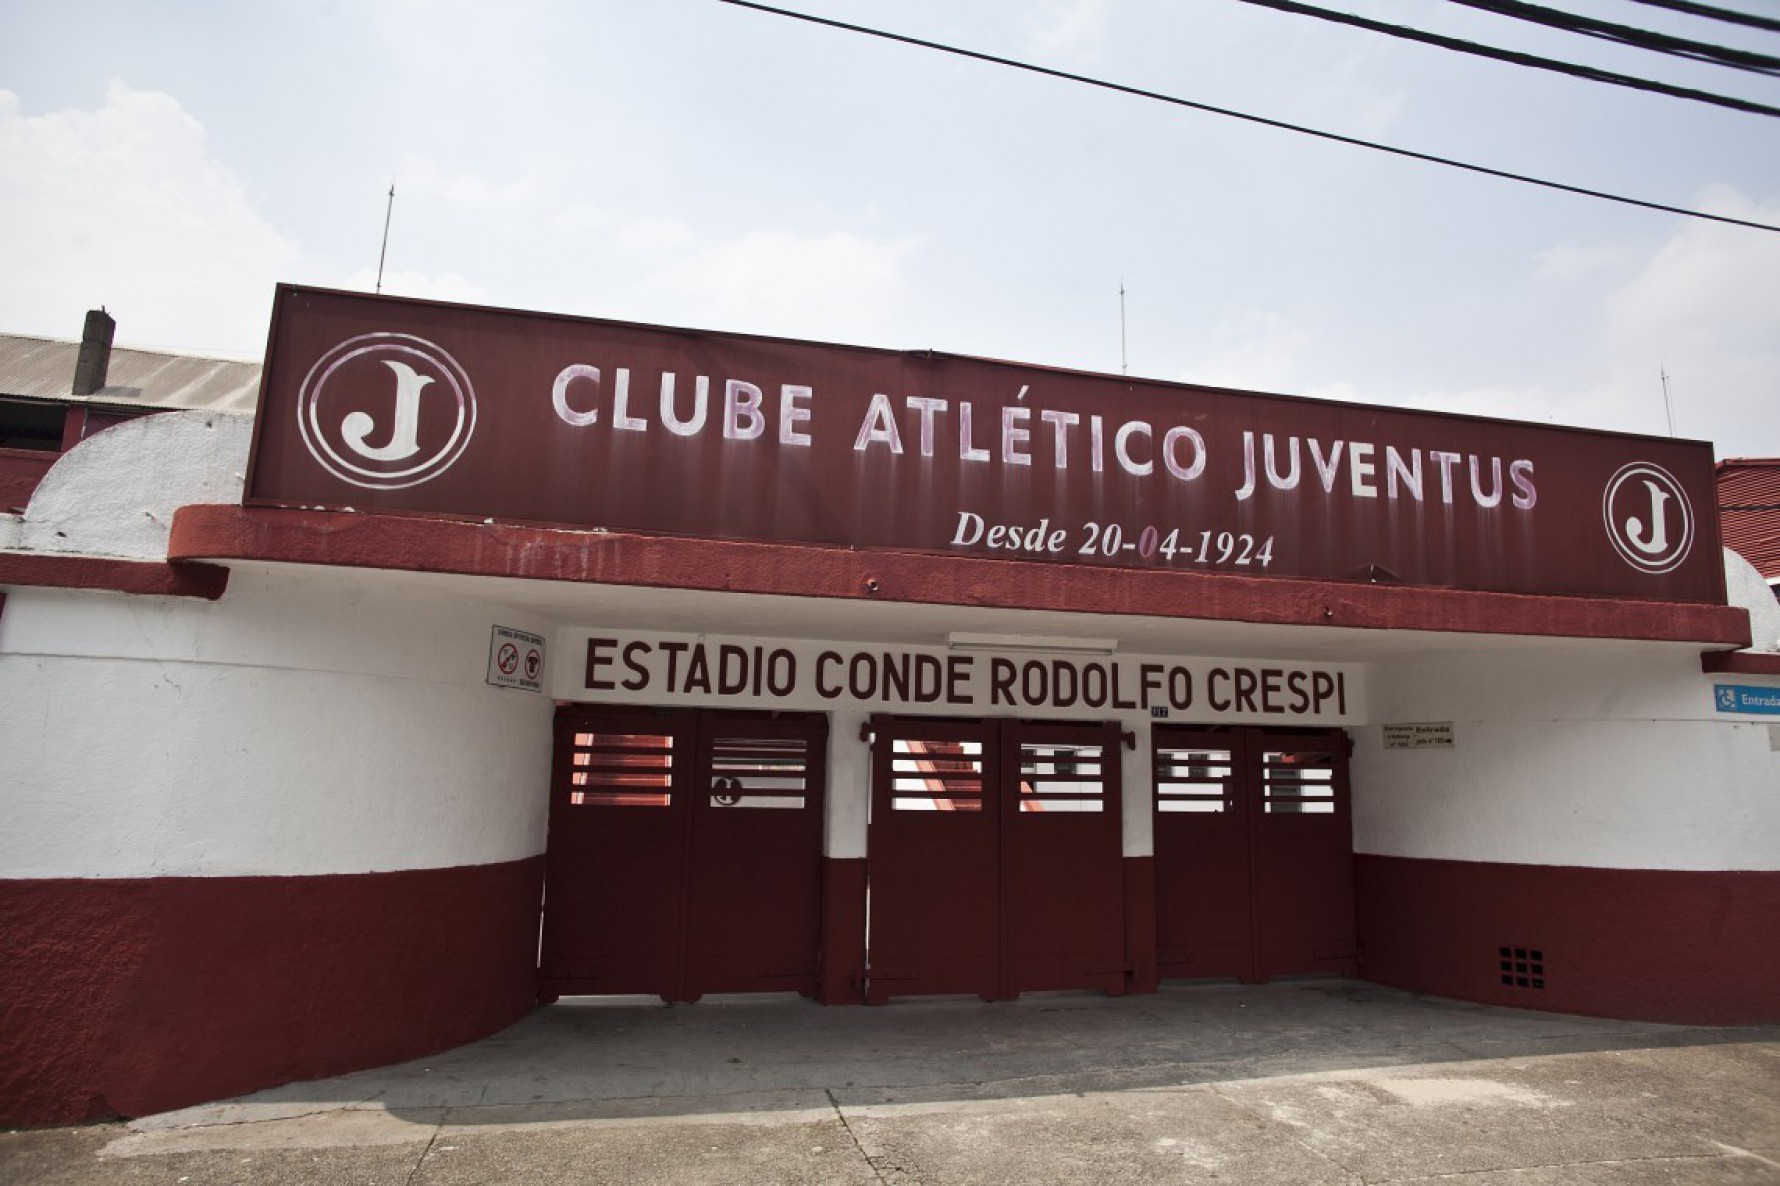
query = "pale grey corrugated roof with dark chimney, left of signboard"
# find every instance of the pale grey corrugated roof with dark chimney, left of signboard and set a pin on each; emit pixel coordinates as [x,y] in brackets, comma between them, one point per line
[45,370]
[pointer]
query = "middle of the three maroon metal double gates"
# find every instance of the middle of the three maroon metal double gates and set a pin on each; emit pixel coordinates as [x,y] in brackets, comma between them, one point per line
[996,859]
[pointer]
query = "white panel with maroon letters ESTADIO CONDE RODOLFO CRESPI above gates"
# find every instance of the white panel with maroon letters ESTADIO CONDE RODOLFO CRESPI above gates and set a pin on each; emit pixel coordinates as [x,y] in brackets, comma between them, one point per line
[784,674]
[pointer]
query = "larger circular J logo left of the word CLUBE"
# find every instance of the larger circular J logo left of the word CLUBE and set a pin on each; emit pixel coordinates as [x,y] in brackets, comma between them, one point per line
[387,410]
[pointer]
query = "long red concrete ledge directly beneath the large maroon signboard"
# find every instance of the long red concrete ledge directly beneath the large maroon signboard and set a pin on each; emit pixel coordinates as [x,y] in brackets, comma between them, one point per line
[350,540]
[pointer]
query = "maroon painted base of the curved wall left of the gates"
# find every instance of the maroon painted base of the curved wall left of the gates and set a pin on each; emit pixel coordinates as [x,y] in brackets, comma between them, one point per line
[138,996]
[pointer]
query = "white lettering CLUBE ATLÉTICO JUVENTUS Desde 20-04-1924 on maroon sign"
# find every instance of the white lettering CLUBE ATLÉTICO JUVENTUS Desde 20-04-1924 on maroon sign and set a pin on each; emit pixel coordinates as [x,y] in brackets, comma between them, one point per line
[937,428]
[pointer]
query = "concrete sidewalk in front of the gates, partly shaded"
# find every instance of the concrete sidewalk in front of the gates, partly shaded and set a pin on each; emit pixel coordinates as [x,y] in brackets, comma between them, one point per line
[1311,1082]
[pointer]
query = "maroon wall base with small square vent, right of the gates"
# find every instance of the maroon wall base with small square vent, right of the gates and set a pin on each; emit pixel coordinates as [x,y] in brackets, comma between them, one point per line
[1642,945]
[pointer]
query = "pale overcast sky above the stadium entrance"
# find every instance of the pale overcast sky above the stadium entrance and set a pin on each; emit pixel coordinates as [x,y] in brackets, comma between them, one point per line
[695,165]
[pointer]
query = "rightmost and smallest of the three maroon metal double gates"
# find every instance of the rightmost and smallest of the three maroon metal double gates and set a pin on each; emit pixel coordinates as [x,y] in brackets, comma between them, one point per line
[1254,854]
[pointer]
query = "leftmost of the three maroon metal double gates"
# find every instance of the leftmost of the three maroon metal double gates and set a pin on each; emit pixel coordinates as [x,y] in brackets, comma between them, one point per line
[684,854]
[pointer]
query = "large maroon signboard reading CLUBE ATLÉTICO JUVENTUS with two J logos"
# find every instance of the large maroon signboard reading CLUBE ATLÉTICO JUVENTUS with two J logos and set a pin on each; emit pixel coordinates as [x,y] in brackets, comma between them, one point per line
[423,409]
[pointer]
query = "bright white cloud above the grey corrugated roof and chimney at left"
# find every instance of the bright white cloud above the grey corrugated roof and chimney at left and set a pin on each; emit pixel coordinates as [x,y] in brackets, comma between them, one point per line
[127,207]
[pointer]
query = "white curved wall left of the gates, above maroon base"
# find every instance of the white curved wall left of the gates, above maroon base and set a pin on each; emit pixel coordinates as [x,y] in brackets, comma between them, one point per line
[307,724]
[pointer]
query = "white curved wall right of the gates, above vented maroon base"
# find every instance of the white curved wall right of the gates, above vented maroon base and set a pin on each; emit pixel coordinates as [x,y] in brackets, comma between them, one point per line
[1601,756]
